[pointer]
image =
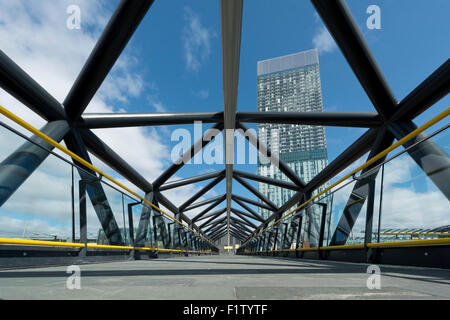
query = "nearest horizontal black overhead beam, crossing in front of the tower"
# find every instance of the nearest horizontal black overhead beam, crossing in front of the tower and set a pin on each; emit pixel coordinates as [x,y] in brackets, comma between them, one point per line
[339,119]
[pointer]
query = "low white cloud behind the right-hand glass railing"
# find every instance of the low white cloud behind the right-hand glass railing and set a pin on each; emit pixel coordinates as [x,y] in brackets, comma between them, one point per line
[410,199]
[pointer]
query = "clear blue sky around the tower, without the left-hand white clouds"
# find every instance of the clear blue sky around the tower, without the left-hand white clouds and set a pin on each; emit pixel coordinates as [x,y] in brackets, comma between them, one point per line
[409,47]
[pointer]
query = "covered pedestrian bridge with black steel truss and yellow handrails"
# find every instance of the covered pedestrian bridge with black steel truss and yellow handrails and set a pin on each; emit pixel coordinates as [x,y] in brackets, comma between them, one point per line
[381,205]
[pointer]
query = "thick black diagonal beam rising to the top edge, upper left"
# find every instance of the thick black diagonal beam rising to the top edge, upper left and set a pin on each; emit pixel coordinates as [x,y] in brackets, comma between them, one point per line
[113,40]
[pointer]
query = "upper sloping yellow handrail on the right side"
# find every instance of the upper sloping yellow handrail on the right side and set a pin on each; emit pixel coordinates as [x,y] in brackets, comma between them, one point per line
[380,155]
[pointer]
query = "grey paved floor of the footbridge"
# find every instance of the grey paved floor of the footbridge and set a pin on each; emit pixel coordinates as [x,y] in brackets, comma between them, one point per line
[225,277]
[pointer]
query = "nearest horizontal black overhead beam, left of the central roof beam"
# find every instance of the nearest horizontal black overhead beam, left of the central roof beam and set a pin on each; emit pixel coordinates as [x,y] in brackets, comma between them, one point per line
[122,120]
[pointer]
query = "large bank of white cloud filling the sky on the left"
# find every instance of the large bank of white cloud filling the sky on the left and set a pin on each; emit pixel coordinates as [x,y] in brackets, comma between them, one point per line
[34,35]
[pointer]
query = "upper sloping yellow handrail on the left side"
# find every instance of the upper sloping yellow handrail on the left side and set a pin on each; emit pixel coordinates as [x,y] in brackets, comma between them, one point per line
[74,156]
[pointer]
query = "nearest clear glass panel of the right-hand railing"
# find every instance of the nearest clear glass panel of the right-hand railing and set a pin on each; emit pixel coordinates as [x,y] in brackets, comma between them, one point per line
[413,207]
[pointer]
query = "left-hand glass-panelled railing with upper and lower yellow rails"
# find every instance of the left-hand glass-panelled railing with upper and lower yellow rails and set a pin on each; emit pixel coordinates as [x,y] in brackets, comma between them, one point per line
[163,232]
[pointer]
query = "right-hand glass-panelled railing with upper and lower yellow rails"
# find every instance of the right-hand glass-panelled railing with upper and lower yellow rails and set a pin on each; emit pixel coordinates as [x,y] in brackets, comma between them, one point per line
[320,209]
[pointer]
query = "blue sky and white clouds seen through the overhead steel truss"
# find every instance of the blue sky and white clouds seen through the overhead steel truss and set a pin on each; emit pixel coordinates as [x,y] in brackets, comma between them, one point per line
[173,63]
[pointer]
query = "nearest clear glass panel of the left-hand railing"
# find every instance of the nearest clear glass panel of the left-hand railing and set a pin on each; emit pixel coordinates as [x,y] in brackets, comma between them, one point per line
[41,207]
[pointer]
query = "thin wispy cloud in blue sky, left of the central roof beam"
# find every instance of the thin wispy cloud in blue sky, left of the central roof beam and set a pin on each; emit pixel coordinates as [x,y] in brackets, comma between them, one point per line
[196,40]
